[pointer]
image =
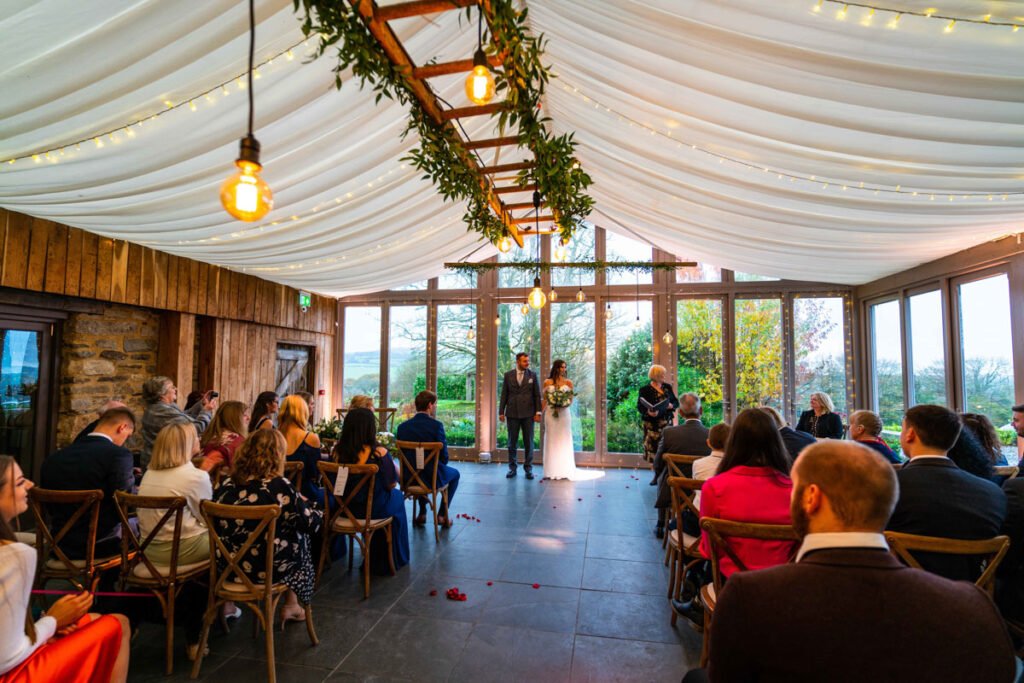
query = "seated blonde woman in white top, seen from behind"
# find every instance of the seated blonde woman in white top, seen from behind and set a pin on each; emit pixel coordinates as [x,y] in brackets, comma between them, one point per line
[170,475]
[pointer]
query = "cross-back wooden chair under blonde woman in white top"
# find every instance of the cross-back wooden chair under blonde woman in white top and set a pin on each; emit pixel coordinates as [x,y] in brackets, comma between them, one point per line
[164,581]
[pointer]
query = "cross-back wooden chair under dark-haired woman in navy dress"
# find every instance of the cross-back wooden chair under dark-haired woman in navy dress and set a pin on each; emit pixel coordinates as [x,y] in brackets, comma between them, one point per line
[352,517]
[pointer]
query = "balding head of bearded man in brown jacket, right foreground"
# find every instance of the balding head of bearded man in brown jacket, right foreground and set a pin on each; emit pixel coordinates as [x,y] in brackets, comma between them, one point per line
[842,487]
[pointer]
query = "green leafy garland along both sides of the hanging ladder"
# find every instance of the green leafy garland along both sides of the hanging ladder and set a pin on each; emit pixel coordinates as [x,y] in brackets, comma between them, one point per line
[442,156]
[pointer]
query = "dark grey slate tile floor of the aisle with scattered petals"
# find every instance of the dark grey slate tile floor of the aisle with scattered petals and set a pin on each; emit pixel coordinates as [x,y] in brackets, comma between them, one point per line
[601,614]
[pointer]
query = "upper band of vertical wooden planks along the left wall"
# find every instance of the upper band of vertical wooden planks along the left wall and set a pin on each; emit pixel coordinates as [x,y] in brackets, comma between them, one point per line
[44,257]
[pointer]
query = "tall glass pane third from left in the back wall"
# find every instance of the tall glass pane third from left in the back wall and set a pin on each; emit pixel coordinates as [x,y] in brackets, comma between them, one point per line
[457,373]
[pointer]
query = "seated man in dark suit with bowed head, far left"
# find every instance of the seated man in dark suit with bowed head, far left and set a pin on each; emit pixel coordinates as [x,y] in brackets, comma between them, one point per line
[100,461]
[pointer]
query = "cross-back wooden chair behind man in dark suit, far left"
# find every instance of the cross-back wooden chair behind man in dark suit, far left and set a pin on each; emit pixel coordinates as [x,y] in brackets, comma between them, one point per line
[54,562]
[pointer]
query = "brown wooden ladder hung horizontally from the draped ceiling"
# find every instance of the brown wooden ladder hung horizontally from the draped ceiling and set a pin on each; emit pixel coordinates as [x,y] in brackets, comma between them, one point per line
[377,19]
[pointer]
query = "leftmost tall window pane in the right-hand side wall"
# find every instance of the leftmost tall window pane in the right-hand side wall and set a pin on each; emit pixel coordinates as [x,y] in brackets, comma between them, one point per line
[887,366]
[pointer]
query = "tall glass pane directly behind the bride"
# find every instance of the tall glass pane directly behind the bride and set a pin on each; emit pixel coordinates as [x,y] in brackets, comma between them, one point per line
[573,341]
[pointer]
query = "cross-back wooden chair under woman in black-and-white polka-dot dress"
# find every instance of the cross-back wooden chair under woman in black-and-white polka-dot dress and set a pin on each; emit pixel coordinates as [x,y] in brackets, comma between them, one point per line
[230,583]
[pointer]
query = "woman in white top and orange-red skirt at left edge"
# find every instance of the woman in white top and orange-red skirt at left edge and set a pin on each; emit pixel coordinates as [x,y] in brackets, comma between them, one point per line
[67,645]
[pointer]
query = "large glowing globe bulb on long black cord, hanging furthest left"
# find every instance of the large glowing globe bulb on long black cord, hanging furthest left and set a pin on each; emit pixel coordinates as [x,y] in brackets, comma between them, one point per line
[245,195]
